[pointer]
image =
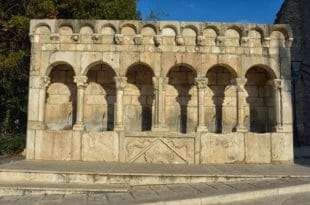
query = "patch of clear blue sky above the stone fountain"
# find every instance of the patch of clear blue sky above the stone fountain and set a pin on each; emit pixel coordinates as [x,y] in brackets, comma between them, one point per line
[245,11]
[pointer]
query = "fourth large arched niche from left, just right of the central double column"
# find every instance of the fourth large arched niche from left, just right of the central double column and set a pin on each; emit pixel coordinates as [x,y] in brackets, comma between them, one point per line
[181,91]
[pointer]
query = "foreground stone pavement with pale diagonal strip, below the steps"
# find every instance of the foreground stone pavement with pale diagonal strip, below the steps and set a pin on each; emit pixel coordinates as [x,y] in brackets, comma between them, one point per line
[199,193]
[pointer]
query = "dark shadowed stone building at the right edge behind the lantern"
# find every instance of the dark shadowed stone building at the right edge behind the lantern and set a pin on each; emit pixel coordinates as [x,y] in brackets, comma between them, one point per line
[296,13]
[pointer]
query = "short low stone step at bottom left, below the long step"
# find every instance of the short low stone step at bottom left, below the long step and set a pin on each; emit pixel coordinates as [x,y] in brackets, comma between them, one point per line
[30,188]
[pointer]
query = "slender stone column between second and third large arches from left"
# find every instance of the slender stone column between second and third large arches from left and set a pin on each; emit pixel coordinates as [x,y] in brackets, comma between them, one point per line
[121,83]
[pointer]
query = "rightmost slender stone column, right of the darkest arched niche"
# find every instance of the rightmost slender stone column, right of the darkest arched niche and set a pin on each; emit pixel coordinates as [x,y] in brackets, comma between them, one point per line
[277,86]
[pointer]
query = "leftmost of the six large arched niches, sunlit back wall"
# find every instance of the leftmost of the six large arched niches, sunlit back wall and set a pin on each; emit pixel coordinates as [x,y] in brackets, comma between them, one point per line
[60,109]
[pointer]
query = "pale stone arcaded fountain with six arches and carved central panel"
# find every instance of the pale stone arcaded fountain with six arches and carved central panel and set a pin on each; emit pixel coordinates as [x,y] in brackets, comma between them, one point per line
[160,92]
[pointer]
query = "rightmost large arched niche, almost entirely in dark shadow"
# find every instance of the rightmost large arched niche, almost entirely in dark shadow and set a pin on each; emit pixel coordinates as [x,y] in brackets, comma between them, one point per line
[261,113]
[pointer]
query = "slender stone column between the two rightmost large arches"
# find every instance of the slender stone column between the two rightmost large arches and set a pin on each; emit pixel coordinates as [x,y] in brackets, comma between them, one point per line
[240,97]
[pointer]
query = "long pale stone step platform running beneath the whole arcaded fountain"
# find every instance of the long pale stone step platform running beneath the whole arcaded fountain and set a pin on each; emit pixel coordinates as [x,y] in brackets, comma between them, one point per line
[141,174]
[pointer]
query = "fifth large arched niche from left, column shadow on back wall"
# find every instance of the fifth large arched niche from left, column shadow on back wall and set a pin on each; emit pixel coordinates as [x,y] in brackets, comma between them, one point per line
[220,102]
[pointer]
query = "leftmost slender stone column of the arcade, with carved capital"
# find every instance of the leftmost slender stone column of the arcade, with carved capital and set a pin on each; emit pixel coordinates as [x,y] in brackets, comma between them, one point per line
[44,82]
